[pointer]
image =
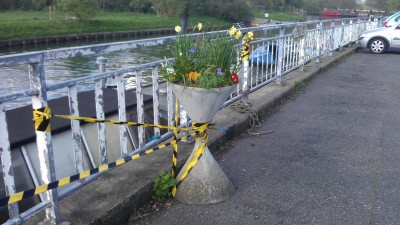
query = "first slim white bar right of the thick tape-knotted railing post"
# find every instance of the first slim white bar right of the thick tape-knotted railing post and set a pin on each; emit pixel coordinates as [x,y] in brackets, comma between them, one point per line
[77,144]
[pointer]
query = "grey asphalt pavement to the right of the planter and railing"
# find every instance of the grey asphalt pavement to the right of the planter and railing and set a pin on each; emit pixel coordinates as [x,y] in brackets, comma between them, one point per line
[334,157]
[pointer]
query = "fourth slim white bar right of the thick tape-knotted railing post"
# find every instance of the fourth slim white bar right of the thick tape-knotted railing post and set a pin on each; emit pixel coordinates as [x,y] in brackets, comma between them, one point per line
[140,108]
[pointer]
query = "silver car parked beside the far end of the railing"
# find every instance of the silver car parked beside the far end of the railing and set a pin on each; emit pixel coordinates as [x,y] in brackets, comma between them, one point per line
[381,39]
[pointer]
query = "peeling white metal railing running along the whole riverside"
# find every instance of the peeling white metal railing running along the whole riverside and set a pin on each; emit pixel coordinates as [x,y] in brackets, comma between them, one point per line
[292,46]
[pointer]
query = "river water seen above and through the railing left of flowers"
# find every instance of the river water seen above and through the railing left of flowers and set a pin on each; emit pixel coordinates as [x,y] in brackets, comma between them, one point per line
[16,78]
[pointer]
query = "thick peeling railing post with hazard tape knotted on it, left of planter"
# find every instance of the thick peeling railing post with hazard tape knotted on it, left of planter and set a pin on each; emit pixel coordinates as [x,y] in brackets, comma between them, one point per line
[44,144]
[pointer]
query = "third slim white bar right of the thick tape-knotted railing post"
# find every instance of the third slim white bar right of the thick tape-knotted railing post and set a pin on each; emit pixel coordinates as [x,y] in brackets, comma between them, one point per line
[123,133]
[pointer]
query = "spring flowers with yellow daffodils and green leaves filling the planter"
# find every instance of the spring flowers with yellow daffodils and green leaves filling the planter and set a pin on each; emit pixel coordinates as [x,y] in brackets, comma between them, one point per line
[205,61]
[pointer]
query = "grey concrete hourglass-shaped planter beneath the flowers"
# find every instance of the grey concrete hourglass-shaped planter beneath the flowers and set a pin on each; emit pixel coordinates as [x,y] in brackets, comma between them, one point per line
[206,183]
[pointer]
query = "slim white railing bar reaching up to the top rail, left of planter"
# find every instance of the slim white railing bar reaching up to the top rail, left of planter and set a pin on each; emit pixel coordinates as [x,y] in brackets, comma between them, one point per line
[101,128]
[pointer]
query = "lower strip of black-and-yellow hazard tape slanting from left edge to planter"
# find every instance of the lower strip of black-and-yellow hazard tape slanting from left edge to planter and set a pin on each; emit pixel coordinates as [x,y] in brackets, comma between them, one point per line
[45,187]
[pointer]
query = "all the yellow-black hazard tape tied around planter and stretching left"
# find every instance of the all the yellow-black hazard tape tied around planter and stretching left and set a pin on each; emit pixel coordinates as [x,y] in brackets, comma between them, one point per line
[42,118]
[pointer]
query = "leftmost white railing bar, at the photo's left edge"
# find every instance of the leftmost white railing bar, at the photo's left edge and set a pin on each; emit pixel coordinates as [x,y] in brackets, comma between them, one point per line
[6,162]
